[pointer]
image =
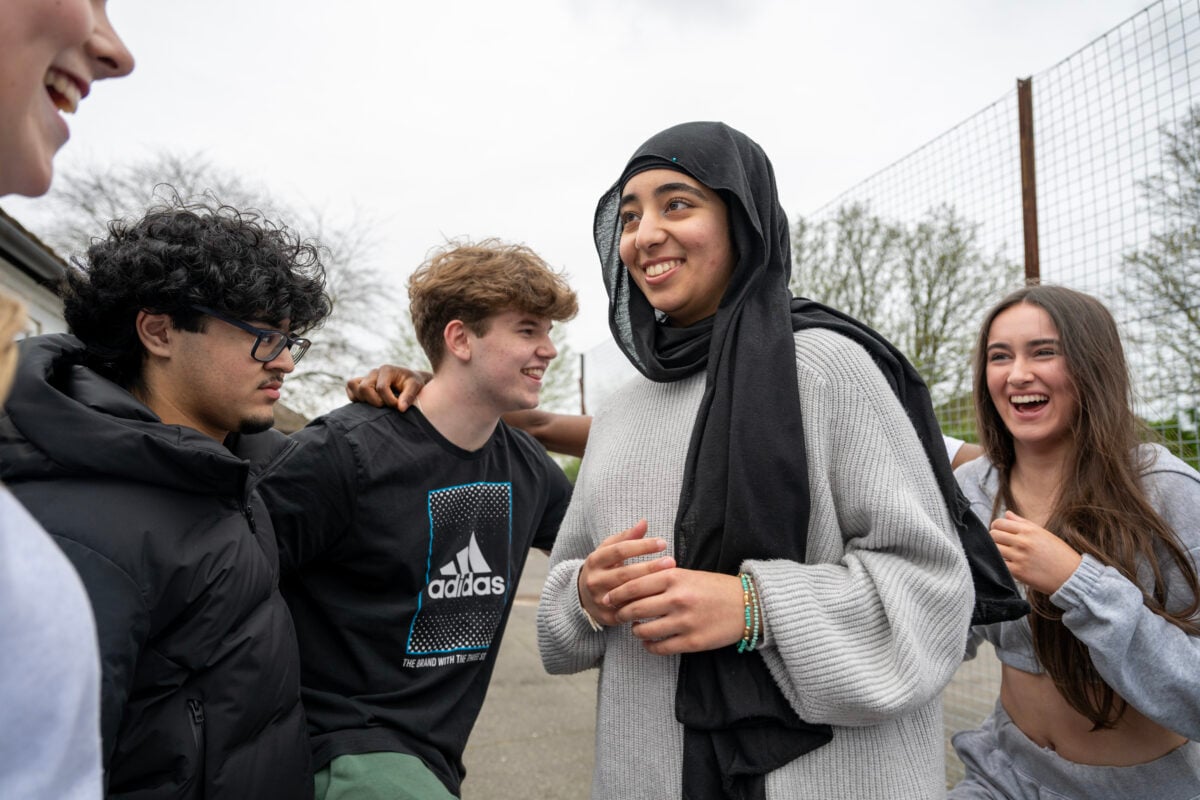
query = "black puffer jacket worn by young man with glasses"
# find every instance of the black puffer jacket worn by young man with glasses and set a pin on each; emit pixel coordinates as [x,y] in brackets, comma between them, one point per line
[201,695]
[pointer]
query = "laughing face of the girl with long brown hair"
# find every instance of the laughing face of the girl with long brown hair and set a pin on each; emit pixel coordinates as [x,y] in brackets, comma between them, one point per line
[1028,378]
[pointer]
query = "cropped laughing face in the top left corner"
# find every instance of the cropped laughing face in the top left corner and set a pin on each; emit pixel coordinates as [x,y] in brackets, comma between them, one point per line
[51,52]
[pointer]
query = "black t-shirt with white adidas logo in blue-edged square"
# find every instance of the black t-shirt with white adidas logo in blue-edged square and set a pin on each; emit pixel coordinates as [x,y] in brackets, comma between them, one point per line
[401,556]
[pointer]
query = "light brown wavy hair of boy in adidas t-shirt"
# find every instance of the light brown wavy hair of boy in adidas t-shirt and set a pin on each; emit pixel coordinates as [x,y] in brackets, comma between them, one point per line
[473,282]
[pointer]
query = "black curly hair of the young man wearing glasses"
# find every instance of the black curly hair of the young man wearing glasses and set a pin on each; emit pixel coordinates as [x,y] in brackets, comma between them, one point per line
[183,255]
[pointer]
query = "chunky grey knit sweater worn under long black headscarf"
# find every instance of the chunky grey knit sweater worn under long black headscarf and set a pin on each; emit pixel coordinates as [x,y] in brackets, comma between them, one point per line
[863,636]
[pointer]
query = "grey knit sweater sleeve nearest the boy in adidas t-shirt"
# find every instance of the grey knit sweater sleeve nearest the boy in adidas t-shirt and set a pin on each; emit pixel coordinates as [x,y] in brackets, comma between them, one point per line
[566,640]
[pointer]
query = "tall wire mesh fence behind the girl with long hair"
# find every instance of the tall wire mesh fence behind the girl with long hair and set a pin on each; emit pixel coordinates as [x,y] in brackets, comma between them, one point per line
[925,246]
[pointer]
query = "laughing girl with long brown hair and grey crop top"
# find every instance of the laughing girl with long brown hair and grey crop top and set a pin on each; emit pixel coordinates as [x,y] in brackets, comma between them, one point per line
[1100,694]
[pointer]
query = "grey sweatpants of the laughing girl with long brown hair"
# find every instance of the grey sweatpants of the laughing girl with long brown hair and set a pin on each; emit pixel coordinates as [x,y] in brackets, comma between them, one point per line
[1003,763]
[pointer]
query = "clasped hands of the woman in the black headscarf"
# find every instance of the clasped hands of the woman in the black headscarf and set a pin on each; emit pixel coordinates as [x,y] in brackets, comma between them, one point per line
[671,610]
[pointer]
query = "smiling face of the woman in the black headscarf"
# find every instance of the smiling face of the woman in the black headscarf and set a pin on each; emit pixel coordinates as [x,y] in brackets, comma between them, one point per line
[676,244]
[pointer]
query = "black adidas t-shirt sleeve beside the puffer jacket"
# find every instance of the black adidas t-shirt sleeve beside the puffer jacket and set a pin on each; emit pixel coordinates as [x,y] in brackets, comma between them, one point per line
[311,494]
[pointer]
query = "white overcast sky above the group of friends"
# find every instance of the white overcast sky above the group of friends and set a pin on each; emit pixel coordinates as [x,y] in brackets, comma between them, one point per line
[509,119]
